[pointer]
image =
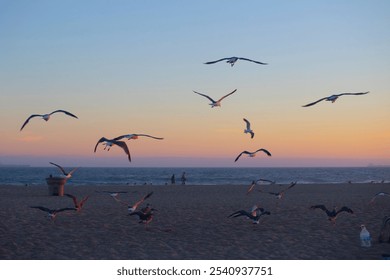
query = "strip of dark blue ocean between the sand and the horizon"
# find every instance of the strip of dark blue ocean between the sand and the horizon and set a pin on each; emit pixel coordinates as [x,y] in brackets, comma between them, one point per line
[196,176]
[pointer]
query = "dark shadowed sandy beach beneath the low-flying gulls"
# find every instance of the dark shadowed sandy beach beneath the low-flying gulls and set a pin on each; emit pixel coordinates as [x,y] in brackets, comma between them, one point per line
[192,223]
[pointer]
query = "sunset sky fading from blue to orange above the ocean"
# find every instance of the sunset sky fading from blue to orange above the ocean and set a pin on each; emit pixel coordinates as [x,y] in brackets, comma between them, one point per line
[132,66]
